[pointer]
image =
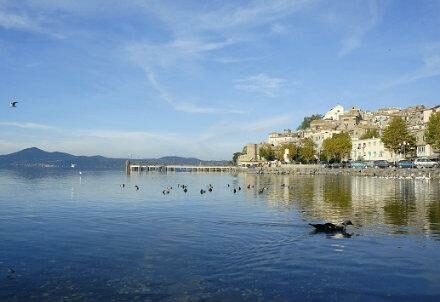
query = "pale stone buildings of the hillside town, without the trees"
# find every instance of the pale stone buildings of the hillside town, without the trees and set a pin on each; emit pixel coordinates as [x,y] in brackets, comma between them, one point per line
[356,122]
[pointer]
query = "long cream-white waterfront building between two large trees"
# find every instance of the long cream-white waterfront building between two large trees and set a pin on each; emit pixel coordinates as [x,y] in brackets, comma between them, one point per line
[370,149]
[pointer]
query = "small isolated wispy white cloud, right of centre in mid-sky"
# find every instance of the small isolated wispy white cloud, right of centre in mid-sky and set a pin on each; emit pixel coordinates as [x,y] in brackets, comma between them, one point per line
[261,84]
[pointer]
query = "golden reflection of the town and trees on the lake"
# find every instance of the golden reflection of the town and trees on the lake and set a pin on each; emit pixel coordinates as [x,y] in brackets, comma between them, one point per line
[408,206]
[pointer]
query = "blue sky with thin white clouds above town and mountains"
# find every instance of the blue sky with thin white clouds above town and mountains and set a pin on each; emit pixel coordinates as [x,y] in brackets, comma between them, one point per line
[202,78]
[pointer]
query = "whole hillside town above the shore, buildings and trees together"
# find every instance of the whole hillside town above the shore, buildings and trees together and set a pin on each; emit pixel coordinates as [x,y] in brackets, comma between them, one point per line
[359,135]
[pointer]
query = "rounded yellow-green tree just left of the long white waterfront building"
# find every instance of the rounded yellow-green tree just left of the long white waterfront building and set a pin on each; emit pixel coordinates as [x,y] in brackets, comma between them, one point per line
[337,147]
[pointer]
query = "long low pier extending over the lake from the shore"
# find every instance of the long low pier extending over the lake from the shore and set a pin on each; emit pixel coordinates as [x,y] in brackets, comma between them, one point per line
[138,167]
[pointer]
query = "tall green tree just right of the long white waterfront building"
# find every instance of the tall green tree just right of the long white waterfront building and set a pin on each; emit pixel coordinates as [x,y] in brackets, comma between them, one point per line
[396,136]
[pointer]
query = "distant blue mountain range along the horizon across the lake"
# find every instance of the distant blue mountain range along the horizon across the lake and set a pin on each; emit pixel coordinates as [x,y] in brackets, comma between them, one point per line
[37,158]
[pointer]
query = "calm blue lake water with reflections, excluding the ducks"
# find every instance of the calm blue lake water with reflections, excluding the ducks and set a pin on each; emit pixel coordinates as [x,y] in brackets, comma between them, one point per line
[71,237]
